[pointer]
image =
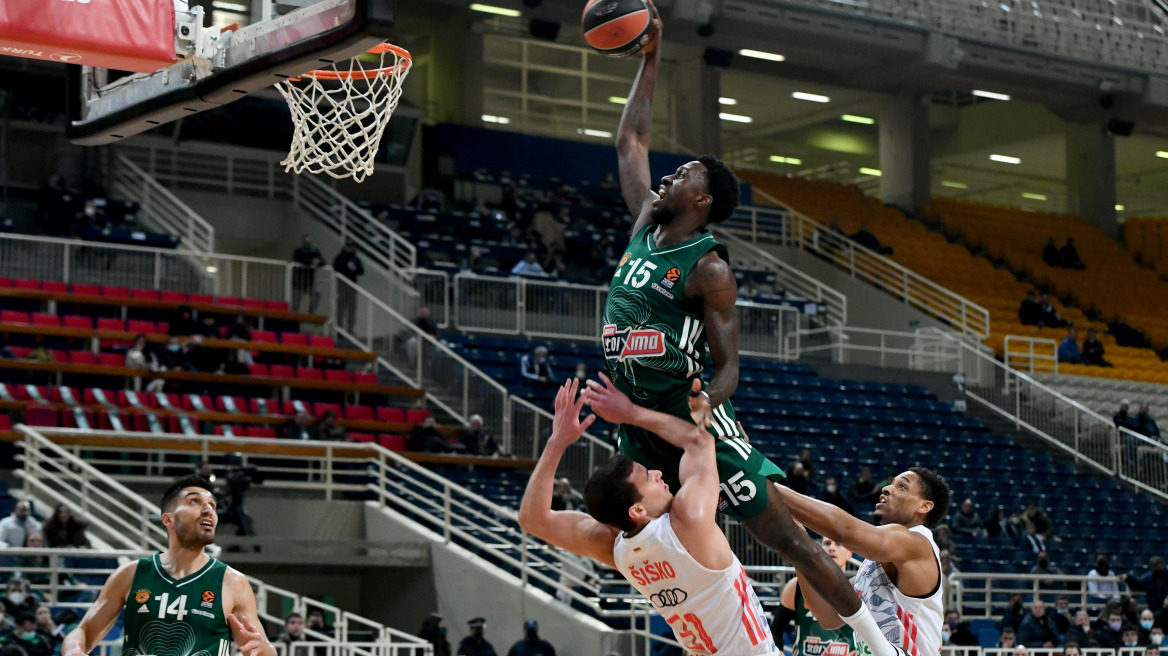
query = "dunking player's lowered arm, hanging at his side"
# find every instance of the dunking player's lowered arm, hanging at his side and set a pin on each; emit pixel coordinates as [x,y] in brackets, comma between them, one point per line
[713,281]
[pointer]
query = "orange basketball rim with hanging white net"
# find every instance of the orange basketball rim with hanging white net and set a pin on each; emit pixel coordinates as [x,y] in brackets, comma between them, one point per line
[340,115]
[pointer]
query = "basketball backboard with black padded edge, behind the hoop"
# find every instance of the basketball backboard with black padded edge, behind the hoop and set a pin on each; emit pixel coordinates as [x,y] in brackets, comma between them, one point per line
[218,66]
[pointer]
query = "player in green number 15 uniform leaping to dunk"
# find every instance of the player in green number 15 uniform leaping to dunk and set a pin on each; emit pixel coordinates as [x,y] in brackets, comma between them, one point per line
[672,297]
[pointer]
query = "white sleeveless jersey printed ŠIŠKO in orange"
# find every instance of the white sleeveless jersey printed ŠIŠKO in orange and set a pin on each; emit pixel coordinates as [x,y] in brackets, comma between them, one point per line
[711,611]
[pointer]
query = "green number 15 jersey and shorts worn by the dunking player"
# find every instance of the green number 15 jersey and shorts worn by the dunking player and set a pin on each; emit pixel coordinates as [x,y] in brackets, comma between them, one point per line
[655,345]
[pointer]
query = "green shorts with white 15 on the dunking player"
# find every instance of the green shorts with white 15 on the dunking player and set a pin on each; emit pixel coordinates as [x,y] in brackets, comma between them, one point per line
[743,471]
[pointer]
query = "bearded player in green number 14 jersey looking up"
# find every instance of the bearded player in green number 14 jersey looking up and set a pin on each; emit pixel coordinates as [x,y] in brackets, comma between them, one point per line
[180,602]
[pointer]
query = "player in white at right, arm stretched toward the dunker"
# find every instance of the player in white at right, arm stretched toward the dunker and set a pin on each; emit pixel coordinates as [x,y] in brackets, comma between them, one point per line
[901,581]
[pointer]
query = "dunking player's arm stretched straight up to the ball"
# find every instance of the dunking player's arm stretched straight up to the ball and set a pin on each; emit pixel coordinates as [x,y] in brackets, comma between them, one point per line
[637,129]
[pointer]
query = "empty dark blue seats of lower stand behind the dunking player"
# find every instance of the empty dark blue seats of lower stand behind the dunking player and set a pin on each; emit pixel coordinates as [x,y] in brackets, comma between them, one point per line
[850,424]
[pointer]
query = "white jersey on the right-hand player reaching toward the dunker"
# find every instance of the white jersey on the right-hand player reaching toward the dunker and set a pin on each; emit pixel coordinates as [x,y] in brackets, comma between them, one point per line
[910,623]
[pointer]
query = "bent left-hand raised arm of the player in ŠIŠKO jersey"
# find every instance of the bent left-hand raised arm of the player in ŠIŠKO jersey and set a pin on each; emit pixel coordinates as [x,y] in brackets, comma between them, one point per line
[567,529]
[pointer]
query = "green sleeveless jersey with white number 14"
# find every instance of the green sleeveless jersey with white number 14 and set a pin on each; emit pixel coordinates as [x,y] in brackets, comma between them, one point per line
[177,618]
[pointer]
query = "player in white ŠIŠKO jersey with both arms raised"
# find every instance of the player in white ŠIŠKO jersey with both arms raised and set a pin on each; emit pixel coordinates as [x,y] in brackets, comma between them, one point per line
[668,546]
